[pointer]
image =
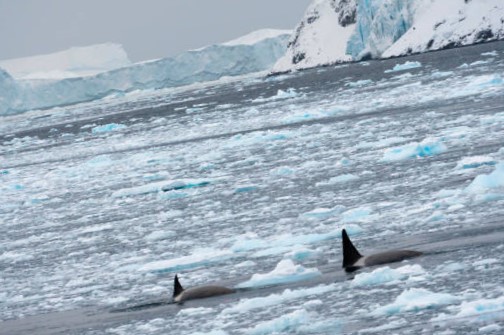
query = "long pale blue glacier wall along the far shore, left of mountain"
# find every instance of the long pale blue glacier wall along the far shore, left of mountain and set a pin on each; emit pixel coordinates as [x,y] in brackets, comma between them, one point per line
[248,54]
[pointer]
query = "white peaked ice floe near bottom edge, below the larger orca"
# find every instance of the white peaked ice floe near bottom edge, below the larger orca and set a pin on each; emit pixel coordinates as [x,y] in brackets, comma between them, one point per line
[414,300]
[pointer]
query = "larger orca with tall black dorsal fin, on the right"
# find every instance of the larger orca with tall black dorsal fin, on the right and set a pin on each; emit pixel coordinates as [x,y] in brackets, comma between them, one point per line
[353,260]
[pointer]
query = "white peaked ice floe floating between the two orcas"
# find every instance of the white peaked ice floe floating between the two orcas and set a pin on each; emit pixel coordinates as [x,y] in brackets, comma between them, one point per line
[285,272]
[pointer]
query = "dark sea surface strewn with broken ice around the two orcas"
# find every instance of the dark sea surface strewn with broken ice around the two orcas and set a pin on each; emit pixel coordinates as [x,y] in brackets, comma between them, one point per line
[247,183]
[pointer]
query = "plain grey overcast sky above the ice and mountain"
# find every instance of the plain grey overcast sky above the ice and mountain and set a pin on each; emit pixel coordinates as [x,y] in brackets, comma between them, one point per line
[147,29]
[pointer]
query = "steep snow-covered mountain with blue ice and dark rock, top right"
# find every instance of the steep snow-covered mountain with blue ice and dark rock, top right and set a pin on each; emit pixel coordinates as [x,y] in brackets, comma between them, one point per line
[333,31]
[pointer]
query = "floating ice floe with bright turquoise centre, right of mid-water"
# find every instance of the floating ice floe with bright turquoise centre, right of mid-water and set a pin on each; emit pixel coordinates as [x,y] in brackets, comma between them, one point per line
[426,148]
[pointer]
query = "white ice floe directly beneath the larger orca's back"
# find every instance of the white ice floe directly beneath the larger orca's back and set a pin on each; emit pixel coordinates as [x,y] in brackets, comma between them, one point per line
[385,275]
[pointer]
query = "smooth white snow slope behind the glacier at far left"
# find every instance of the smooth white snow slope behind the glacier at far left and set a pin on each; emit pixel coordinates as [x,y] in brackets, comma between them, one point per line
[71,63]
